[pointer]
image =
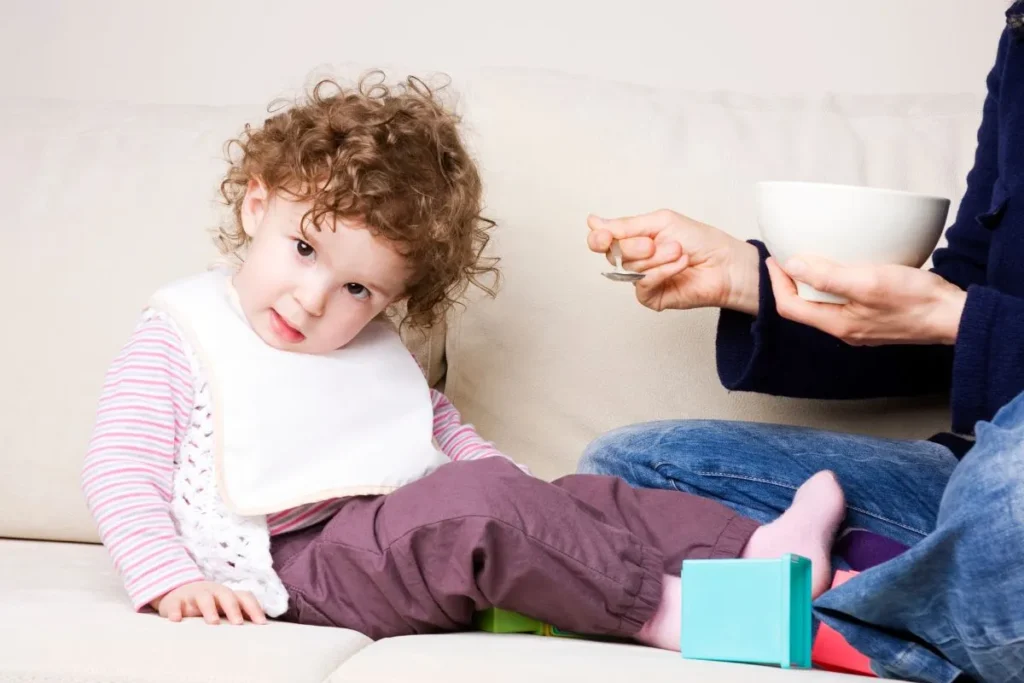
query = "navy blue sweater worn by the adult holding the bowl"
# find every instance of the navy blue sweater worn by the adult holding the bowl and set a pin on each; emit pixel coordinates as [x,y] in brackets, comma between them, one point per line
[986,257]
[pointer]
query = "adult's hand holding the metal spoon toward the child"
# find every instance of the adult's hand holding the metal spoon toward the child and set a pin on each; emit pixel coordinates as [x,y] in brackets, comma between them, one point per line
[688,264]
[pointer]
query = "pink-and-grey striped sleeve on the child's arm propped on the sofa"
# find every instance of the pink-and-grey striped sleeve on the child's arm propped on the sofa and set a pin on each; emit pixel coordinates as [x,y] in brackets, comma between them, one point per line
[142,418]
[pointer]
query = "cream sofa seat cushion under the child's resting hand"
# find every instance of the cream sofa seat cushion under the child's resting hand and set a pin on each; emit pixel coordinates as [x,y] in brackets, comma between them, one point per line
[64,618]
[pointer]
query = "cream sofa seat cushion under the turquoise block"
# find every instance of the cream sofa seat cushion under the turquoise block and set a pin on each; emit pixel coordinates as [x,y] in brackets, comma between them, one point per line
[508,659]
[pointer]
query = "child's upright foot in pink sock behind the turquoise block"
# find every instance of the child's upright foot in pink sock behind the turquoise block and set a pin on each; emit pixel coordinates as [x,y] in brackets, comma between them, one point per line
[807,529]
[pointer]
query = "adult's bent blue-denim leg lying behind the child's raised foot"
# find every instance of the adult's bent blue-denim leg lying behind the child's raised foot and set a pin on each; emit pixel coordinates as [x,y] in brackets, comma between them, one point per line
[892,488]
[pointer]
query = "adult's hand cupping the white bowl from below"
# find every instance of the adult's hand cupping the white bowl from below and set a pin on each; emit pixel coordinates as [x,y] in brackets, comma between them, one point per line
[889,305]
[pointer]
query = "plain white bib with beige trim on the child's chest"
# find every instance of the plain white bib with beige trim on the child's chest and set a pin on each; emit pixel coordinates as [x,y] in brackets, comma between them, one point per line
[295,429]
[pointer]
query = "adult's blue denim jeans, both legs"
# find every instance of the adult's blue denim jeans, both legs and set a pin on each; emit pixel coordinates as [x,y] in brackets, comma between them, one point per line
[952,606]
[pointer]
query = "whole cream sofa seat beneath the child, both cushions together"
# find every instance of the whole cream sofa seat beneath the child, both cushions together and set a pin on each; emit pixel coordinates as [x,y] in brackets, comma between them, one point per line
[65,619]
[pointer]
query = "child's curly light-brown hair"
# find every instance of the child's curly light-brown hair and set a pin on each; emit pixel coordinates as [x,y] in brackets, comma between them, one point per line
[389,157]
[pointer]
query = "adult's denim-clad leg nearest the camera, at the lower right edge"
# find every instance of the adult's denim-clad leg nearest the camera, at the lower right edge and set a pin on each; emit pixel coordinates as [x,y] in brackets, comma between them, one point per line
[954,603]
